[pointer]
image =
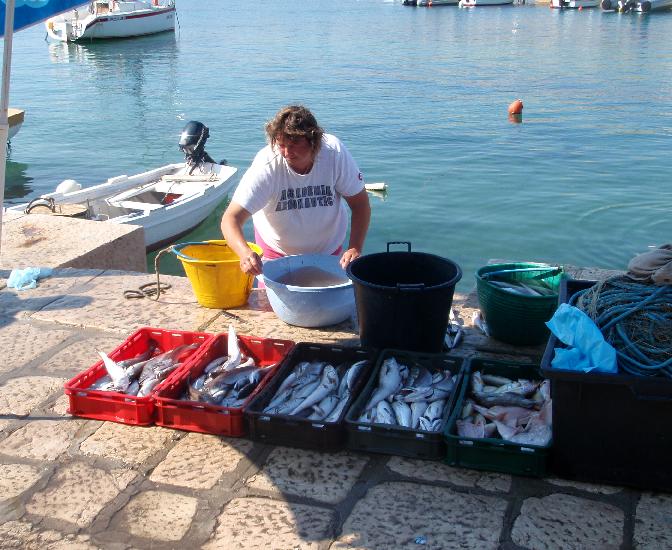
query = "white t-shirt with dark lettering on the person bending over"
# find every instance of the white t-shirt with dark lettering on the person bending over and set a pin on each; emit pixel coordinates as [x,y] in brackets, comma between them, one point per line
[301,213]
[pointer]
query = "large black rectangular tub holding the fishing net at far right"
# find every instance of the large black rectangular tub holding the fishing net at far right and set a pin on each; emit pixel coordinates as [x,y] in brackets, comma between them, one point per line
[609,428]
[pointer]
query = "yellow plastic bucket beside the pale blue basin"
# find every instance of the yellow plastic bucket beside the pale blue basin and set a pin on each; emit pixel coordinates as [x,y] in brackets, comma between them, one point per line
[213,269]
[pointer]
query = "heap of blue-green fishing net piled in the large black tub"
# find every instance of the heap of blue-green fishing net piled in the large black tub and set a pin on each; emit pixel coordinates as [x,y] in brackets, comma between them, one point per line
[636,319]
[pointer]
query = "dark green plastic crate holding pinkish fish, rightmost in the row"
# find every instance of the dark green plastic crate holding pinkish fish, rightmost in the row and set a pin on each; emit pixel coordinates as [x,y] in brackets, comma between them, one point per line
[492,454]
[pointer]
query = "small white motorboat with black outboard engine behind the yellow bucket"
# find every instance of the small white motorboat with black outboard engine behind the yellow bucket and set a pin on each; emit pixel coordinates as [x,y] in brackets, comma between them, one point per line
[167,202]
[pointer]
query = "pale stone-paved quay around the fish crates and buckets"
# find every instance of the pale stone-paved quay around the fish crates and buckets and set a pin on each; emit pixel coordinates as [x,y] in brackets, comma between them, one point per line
[68,482]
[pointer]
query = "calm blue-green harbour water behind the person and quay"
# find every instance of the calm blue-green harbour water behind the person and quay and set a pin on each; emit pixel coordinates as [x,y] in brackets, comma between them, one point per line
[418,95]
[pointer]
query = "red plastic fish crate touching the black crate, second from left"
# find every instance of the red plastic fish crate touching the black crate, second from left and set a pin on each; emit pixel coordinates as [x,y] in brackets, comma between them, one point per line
[173,412]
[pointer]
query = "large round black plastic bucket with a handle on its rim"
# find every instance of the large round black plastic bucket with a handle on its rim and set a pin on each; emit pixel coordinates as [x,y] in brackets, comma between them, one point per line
[403,298]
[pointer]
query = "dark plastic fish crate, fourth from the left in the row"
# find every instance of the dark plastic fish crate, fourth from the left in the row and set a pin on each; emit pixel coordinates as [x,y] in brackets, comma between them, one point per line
[399,440]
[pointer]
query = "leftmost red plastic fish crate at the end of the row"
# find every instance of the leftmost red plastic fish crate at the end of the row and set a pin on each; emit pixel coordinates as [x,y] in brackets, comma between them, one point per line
[119,407]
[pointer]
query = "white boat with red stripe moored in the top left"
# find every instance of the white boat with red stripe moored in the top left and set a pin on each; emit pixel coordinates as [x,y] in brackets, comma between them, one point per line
[113,19]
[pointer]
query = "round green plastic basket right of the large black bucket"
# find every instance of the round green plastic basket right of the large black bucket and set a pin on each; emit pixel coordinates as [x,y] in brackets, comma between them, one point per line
[513,318]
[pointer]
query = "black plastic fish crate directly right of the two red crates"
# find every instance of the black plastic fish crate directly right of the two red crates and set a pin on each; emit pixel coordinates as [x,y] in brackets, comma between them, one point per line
[292,431]
